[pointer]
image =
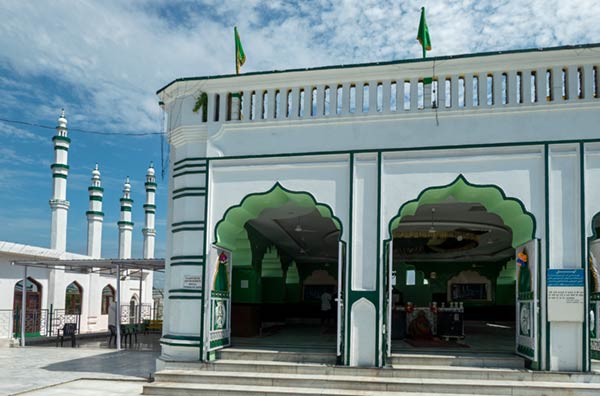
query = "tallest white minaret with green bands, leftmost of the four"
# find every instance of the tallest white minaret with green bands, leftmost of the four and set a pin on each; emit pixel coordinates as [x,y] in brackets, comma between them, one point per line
[60,171]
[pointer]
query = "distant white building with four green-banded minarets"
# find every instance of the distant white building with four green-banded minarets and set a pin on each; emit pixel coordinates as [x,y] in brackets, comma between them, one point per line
[55,296]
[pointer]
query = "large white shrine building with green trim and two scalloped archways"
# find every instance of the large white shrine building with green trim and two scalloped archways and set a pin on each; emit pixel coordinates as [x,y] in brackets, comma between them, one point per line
[476,195]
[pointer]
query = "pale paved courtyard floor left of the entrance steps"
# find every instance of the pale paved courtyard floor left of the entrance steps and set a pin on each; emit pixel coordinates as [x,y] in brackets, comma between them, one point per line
[89,369]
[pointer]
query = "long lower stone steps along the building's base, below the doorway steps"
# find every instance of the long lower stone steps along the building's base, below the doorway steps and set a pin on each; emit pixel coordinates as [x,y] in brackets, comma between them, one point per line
[203,382]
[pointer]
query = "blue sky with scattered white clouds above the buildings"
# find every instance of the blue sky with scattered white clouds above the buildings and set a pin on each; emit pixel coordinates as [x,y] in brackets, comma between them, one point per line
[103,61]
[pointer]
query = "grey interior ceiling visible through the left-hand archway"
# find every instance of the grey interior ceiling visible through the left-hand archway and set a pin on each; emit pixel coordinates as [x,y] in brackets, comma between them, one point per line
[301,232]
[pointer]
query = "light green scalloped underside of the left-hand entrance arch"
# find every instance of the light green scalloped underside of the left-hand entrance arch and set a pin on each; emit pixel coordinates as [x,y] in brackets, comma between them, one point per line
[232,224]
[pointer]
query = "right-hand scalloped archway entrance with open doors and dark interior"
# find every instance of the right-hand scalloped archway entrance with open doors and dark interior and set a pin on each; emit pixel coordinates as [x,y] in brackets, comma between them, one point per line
[462,263]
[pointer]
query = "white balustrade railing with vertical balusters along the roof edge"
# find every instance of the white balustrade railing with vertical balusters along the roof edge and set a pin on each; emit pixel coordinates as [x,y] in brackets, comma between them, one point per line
[440,90]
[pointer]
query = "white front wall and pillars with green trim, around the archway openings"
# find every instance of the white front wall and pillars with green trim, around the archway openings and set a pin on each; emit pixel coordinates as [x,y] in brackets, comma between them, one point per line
[396,154]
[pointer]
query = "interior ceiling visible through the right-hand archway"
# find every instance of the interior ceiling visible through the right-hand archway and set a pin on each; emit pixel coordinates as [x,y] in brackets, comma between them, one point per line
[453,231]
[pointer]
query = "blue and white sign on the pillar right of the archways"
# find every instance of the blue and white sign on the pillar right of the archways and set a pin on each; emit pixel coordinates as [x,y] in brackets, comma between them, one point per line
[566,295]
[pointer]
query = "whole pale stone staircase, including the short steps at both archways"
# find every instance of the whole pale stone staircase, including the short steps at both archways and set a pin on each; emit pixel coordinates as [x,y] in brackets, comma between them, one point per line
[270,373]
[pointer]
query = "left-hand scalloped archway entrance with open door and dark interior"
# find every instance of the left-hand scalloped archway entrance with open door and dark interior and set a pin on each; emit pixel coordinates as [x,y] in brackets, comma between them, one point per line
[276,277]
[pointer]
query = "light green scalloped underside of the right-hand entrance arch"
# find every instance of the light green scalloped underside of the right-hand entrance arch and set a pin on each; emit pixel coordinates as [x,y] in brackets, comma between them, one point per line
[511,210]
